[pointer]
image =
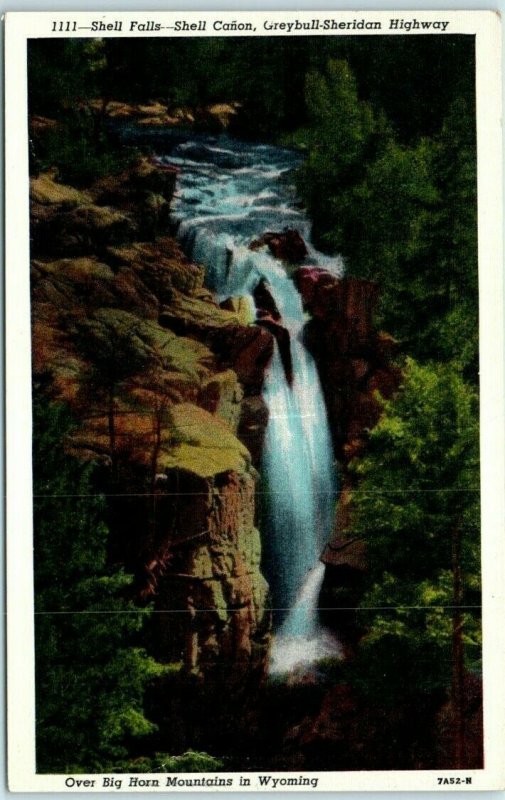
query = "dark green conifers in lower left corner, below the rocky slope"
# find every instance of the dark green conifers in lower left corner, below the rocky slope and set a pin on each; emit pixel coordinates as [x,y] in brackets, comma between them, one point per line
[90,675]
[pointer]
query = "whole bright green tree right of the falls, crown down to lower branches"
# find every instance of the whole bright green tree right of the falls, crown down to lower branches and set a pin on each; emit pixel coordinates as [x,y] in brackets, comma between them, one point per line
[418,489]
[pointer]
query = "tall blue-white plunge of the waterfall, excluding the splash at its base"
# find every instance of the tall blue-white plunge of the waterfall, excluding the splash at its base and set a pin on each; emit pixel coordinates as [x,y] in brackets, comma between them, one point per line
[298,459]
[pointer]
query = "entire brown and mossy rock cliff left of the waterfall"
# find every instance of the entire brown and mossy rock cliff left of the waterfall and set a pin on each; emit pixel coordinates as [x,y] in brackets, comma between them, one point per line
[165,385]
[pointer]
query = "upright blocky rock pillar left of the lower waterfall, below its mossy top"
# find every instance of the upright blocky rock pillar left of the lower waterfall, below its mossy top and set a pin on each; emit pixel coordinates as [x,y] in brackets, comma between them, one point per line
[214,575]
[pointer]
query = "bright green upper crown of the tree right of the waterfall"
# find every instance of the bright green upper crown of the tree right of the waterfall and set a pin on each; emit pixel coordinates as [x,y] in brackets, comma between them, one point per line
[421,471]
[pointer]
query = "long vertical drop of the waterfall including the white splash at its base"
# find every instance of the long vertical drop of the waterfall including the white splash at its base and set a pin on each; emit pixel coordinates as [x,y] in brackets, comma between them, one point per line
[301,489]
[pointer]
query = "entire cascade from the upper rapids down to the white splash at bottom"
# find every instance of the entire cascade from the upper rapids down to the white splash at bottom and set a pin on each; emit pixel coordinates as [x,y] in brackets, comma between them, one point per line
[228,194]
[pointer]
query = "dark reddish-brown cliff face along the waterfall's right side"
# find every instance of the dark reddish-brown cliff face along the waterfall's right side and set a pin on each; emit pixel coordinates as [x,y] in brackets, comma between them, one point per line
[355,362]
